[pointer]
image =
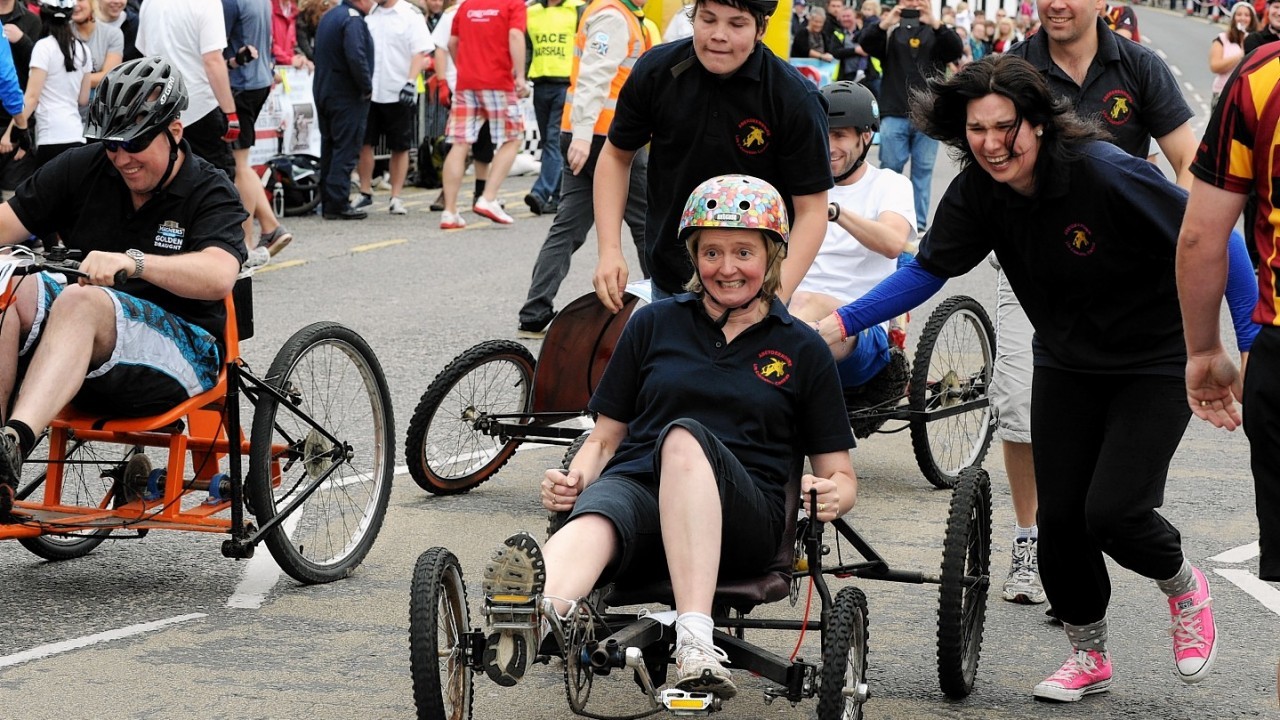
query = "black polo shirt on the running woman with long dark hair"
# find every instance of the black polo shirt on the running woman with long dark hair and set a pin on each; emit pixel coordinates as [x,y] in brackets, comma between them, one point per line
[1091,259]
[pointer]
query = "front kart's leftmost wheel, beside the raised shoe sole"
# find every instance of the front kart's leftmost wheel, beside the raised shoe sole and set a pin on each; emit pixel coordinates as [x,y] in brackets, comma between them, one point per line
[438,618]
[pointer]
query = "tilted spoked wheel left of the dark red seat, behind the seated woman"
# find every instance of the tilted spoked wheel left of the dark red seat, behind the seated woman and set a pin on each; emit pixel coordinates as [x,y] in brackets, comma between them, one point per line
[447,449]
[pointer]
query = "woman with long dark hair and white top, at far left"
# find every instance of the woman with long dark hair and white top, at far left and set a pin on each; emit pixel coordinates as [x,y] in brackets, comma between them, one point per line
[58,85]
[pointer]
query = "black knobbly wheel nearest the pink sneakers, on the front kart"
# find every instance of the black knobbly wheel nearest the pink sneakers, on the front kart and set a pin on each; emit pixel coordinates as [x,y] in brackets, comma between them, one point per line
[966,581]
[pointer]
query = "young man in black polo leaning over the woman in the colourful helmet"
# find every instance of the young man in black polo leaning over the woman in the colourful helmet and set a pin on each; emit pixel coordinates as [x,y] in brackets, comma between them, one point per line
[716,103]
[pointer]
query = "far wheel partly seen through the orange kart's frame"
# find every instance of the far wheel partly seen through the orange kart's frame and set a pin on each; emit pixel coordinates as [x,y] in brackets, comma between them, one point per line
[93,477]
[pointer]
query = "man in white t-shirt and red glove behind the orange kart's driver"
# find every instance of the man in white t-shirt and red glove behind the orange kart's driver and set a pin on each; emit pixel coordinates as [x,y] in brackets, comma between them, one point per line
[191,37]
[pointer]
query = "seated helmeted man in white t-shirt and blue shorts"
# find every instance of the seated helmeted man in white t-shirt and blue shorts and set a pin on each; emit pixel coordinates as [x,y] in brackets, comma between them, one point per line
[872,220]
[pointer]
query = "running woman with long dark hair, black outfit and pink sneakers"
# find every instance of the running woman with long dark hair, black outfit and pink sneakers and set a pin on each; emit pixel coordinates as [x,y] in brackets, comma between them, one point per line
[1087,235]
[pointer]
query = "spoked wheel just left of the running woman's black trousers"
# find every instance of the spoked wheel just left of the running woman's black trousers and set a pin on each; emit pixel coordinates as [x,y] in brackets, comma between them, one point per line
[953,373]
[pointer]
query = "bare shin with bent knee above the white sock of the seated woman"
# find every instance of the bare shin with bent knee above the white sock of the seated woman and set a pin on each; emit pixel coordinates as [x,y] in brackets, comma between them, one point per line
[691,509]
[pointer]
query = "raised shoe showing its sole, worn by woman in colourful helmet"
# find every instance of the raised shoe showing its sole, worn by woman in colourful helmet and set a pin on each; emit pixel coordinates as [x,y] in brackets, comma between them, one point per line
[513,586]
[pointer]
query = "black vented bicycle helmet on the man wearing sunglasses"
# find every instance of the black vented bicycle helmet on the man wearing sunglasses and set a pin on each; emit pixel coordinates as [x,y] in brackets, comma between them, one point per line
[135,99]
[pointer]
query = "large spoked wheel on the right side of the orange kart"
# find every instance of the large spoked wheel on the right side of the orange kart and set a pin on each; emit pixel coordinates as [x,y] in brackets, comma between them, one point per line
[331,444]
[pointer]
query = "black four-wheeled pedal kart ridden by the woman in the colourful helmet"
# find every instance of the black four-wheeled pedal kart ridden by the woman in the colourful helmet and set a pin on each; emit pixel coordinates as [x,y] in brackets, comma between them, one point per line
[597,640]
